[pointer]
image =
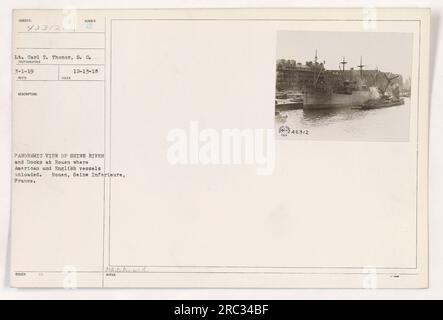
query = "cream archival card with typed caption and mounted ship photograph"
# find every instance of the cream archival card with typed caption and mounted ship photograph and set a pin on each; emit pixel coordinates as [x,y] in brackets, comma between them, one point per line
[220,148]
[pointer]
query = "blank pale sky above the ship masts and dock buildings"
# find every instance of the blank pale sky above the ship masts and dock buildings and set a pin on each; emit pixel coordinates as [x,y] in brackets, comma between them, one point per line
[390,52]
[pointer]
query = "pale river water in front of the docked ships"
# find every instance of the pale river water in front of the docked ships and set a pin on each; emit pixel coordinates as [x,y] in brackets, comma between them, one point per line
[350,123]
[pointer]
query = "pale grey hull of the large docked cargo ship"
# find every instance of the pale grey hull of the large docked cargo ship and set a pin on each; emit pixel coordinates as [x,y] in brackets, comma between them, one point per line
[335,100]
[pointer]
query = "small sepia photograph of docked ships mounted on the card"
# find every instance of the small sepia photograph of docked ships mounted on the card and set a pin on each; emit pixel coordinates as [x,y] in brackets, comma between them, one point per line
[343,85]
